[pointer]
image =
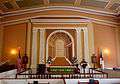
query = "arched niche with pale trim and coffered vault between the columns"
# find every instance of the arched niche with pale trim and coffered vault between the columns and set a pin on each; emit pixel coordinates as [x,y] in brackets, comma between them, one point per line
[60,42]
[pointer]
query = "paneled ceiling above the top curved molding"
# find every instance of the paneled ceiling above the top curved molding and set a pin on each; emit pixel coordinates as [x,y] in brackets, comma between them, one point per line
[104,5]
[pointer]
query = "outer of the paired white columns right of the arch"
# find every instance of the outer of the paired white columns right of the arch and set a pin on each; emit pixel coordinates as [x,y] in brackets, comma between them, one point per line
[86,46]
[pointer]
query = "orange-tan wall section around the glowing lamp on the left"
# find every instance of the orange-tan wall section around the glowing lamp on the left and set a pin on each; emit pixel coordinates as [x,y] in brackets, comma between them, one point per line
[14,36]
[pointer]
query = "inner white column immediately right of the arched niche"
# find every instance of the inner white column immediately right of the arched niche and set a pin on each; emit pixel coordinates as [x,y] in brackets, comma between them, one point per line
[79,47]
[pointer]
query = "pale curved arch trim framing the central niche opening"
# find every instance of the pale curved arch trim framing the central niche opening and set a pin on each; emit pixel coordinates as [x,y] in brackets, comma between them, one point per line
[63,31]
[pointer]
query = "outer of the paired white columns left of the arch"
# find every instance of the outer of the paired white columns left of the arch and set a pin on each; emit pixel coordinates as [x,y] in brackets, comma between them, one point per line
[34,49]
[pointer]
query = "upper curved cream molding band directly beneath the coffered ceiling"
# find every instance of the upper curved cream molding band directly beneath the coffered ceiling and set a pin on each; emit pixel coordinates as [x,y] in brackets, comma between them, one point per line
[39,9]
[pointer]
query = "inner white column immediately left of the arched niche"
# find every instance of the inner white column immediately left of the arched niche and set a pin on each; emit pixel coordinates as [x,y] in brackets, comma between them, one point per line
[42,46]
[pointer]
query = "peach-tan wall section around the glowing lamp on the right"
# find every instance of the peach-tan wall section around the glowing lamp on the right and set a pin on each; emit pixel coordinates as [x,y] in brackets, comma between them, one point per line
[105,37]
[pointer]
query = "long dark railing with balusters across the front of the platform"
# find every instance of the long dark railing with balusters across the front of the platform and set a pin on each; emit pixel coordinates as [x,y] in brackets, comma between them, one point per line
[91,74]
